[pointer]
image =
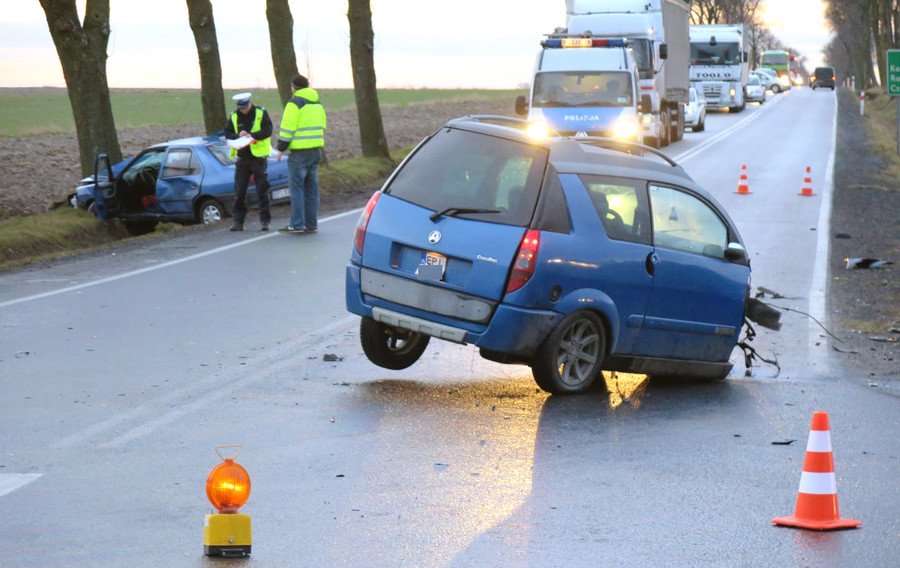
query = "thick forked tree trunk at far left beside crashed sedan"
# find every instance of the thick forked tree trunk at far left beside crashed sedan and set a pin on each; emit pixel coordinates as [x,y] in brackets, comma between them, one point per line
[82,54]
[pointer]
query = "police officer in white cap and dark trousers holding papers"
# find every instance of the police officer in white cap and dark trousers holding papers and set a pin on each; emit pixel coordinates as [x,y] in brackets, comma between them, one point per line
[250,122]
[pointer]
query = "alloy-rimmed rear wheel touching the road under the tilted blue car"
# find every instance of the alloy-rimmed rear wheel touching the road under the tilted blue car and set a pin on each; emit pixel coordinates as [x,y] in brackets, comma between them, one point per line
[571,357]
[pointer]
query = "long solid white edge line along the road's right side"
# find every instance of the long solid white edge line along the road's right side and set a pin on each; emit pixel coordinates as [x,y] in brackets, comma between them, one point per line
[820,268]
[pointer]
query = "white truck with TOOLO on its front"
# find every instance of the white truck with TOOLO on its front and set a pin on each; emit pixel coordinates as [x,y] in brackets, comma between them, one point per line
[719,68]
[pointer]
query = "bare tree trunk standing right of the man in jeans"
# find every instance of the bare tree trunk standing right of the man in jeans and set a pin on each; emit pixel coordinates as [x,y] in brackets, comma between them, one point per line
[362,47]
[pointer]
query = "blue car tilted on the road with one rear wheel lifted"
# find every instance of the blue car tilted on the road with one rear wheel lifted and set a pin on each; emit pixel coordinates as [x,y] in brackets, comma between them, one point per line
[570,255]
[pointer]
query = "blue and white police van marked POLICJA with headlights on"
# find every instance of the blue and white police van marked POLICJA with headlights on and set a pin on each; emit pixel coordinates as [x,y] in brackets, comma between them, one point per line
[586,87]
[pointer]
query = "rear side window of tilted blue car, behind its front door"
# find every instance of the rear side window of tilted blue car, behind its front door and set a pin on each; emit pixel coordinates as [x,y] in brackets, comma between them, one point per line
[621,204]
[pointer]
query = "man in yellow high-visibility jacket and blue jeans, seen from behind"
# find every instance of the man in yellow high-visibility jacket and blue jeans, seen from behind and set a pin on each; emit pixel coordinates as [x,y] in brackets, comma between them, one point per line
[302,133]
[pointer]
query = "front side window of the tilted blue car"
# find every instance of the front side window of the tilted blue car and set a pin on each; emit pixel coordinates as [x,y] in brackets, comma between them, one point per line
[683,222]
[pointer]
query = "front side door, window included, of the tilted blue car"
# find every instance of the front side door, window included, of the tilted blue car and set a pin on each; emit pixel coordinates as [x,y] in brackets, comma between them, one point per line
[696,304]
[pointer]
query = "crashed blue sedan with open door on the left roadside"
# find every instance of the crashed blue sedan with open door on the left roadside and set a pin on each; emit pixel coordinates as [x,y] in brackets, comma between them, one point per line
[190,180]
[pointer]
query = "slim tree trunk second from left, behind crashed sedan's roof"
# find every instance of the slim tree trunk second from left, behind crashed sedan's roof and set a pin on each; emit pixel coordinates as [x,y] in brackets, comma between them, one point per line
[211,94]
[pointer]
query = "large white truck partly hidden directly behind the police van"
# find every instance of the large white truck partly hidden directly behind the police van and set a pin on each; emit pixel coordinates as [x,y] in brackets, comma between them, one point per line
[657,31]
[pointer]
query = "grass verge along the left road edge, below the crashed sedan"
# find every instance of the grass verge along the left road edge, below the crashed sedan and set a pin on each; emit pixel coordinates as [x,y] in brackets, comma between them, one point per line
[66,231]
